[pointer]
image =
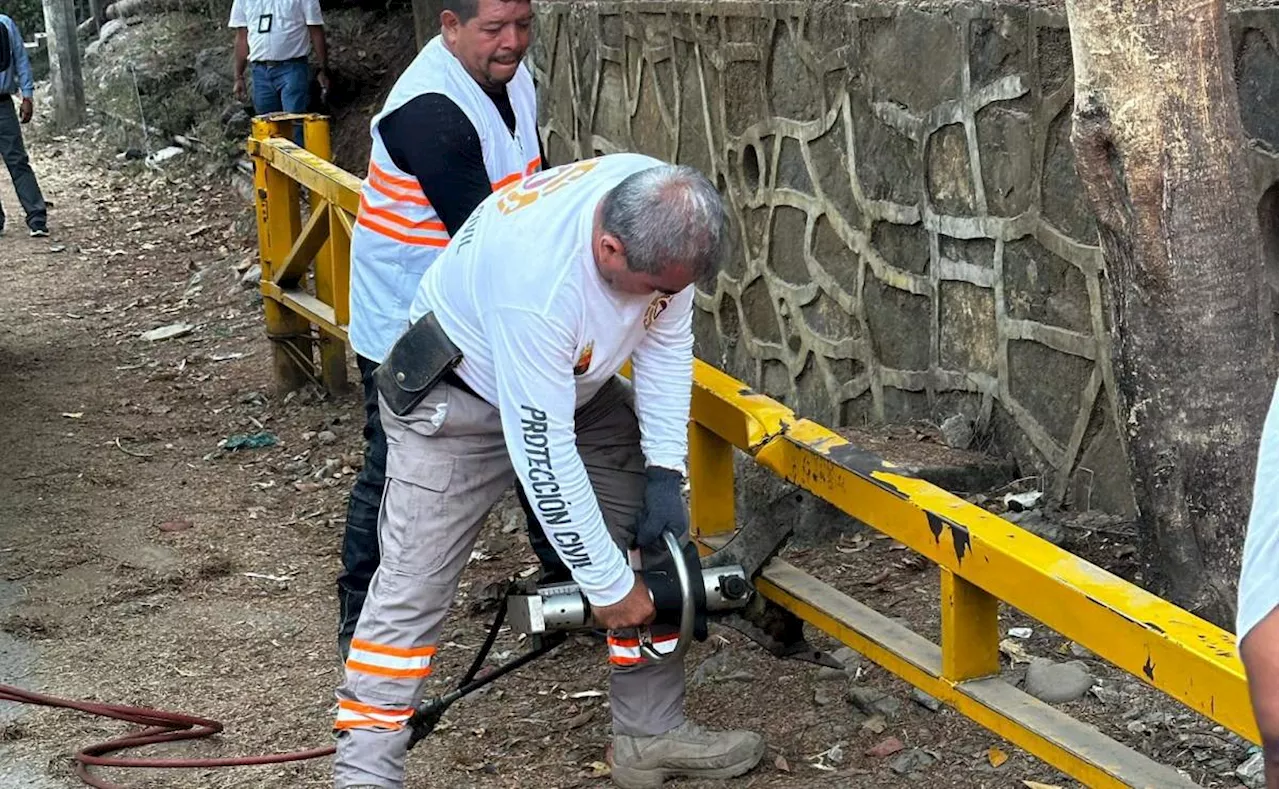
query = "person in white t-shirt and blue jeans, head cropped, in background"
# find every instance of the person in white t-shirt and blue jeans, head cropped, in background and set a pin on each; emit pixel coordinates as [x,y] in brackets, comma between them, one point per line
[277,37]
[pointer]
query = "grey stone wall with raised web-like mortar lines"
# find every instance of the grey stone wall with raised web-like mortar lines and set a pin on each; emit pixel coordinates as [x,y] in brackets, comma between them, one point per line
[912,239]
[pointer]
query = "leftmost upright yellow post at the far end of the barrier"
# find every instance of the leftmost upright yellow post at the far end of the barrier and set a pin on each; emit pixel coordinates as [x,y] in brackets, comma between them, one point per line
[278,226]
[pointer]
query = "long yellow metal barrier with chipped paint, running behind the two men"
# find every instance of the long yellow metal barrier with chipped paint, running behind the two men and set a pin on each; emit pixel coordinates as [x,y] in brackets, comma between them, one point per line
[982,559]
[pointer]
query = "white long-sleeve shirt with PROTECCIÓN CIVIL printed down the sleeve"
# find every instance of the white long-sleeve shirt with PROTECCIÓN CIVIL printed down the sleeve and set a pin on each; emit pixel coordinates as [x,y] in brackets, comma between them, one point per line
[519,293]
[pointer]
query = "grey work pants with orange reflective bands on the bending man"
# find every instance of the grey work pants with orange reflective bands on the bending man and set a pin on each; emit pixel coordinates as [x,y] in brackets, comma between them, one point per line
[447,464]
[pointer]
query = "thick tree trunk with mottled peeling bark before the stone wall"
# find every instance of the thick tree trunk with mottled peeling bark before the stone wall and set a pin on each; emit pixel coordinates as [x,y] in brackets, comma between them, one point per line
[1162,150]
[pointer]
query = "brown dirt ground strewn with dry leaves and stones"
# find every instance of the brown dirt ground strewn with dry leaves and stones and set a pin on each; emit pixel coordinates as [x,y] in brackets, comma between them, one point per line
[143,564]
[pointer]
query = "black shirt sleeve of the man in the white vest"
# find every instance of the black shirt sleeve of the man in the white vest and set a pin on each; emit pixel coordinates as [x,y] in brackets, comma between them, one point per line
[433,140]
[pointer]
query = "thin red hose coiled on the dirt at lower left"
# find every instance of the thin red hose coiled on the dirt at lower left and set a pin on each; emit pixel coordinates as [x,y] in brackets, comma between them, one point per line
[161,728]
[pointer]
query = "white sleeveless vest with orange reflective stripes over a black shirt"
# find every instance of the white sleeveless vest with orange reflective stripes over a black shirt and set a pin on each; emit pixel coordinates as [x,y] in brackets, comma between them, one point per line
[399,235]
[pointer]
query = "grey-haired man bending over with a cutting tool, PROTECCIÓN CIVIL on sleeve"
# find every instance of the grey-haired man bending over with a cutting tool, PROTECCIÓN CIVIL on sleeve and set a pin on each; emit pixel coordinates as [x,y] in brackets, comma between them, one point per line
[545,294]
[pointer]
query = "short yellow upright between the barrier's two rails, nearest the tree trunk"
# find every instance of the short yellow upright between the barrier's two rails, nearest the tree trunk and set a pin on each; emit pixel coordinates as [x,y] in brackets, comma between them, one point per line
[971,631]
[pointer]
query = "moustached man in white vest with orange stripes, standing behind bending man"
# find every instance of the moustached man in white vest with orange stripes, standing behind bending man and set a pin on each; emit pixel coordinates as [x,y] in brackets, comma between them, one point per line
[460,124]
